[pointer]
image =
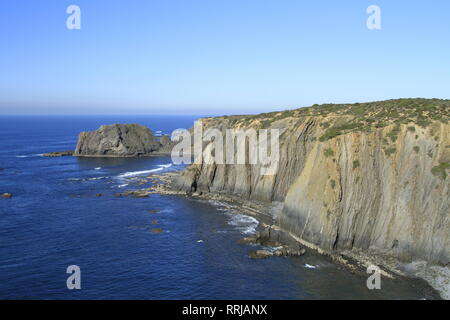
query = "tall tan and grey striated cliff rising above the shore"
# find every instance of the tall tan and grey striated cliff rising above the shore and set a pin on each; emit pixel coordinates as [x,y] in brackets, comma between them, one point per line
[351,176]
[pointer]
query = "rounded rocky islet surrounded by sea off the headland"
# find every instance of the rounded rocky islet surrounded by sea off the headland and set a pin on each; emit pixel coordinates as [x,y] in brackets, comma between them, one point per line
[120,140]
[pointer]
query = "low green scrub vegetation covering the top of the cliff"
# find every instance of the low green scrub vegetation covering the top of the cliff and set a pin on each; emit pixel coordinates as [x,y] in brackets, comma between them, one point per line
[358,116]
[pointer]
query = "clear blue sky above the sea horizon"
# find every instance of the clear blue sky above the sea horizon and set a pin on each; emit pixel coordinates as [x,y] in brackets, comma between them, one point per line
[218,56]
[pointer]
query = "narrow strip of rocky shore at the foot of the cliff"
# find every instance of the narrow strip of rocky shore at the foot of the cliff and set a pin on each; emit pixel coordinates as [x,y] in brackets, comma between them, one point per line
[355,261]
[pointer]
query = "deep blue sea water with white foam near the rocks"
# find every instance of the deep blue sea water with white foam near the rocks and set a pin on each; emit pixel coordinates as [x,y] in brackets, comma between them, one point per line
[55,220]
